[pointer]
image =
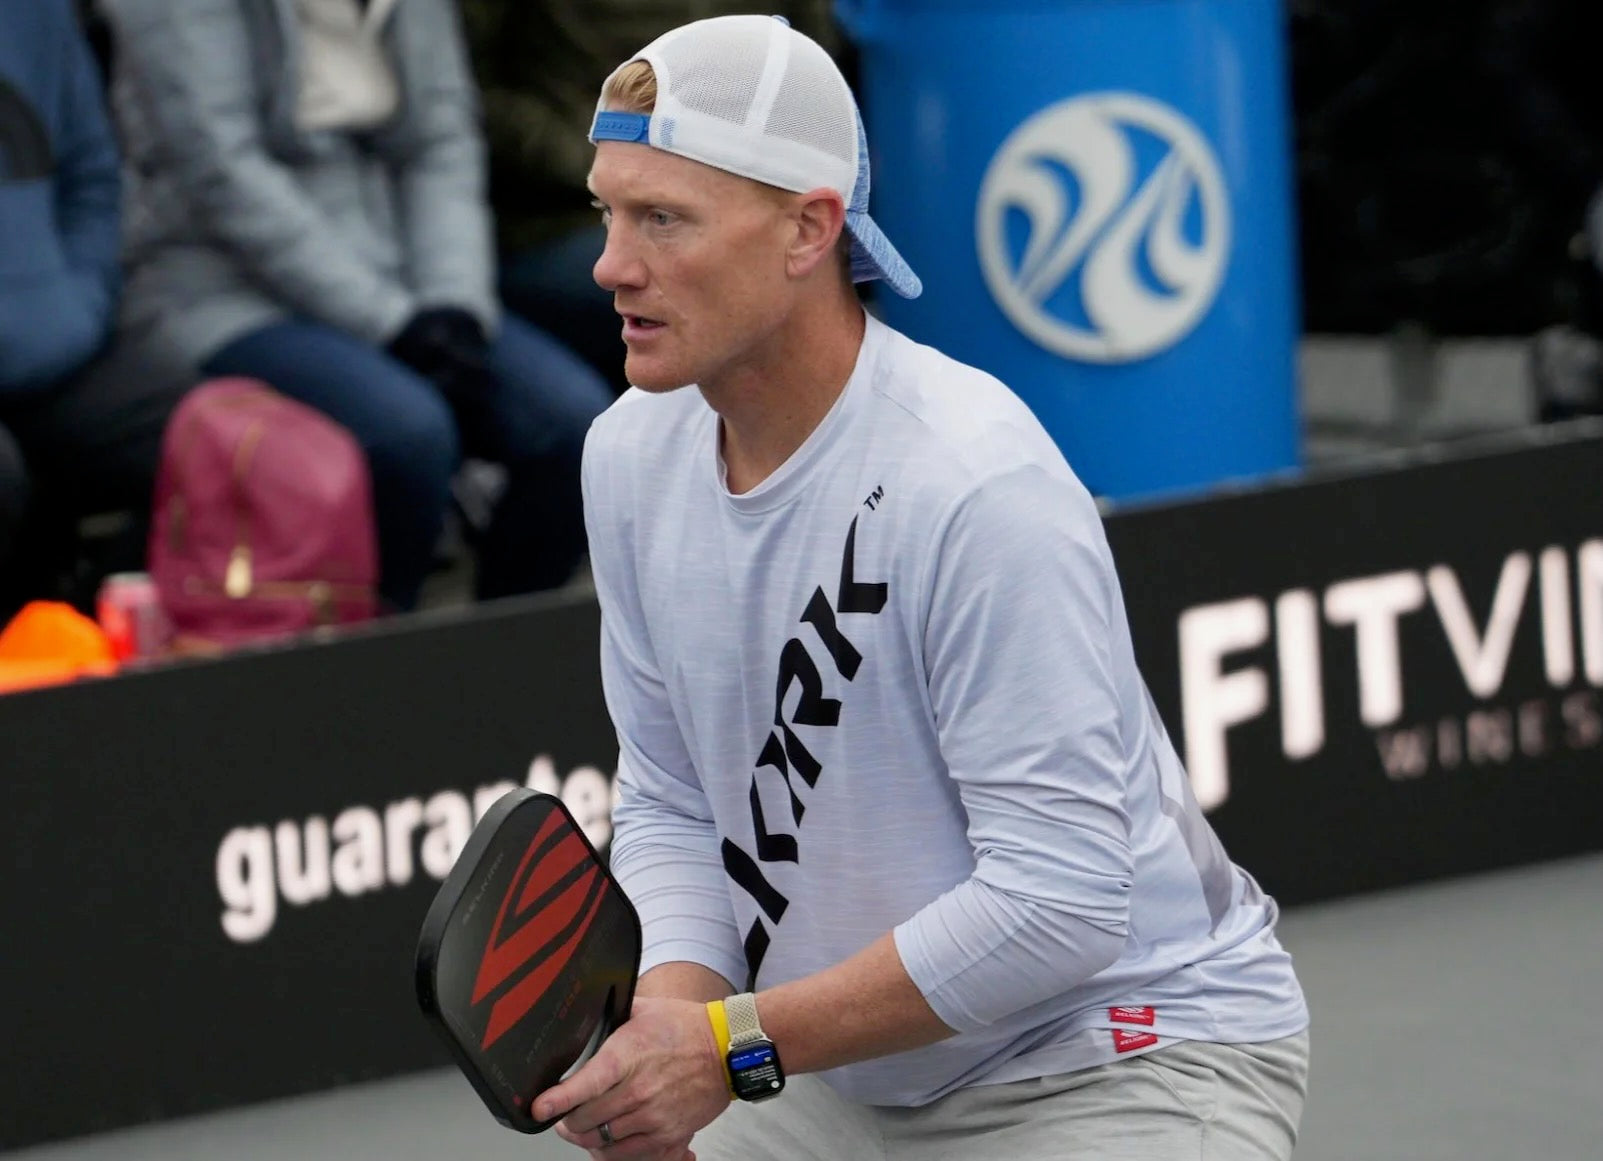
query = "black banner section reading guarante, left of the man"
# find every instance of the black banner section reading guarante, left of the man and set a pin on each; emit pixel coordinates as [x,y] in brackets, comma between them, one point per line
[219,873]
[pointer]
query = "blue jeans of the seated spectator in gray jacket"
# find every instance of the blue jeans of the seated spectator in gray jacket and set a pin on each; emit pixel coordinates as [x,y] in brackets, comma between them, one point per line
[533,423]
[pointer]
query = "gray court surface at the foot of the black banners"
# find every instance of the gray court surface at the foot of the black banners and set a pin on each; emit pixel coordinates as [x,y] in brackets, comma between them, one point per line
[1456,1022]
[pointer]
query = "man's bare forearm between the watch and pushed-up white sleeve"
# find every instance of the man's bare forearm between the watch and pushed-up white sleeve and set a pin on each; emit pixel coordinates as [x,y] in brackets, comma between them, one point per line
[863,1008]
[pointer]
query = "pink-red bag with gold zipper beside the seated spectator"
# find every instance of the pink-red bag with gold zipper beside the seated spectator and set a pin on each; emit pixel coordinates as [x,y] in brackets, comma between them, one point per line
[264,520]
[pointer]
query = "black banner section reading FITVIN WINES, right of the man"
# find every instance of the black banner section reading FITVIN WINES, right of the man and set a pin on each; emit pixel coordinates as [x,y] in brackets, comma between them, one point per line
[1386,678]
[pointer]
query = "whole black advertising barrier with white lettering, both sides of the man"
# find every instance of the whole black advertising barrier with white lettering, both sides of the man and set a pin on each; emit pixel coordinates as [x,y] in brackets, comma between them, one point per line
[219,872]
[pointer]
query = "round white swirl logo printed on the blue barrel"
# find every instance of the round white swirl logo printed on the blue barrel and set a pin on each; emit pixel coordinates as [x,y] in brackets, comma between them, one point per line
[1121,257]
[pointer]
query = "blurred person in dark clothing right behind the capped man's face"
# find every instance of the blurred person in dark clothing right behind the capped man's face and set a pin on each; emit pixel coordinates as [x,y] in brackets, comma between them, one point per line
[541,67]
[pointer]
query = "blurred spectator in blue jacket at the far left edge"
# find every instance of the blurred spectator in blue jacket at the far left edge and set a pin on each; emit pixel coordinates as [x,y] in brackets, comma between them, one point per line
[79,434]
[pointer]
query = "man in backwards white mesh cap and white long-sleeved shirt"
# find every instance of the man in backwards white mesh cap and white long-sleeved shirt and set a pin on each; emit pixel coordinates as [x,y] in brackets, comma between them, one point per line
[886,758]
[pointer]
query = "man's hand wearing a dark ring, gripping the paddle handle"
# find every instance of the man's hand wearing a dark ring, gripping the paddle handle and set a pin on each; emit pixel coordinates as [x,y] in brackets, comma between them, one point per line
[655,1083]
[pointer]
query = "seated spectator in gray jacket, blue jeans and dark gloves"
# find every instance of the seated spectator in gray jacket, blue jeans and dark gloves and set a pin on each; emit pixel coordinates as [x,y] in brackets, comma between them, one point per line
[307,208]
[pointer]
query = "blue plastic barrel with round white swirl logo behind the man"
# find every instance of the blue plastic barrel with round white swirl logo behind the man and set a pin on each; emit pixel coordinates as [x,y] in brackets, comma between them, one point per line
[1097,198]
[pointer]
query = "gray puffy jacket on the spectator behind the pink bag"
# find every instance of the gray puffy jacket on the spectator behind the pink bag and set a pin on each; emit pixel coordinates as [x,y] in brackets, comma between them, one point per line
[235,219]
